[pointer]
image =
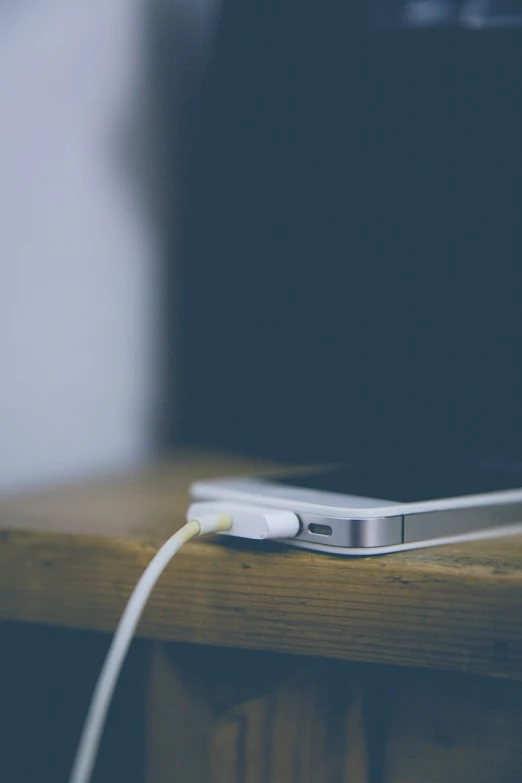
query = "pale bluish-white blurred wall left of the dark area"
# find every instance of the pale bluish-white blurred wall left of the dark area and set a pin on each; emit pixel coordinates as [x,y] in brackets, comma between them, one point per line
[77,270]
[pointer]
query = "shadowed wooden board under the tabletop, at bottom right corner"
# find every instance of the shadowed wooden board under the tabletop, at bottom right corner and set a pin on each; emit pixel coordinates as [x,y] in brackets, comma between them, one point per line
[444,728]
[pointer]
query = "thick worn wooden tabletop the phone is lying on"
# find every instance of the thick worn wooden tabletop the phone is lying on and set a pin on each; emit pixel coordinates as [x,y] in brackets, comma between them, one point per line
[71,557]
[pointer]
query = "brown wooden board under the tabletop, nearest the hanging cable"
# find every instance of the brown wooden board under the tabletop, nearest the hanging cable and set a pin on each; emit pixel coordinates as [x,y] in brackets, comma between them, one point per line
[243,717]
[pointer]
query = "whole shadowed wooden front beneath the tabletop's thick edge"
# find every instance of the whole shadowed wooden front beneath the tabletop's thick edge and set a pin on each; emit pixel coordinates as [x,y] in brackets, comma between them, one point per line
[241,717]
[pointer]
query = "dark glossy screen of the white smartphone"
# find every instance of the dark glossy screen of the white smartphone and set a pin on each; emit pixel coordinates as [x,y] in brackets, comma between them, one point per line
[413,482]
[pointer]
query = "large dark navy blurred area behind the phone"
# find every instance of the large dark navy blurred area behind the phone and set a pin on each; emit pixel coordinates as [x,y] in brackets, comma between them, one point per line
[351,242]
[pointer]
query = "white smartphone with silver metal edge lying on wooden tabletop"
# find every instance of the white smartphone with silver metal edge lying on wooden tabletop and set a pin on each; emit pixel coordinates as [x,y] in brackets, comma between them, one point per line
[363,509]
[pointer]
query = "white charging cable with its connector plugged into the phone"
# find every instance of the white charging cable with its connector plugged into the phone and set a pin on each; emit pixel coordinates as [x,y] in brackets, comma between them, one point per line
[243,521]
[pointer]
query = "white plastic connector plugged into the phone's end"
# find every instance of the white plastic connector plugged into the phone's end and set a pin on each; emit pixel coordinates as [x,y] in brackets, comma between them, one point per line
[253,522]
